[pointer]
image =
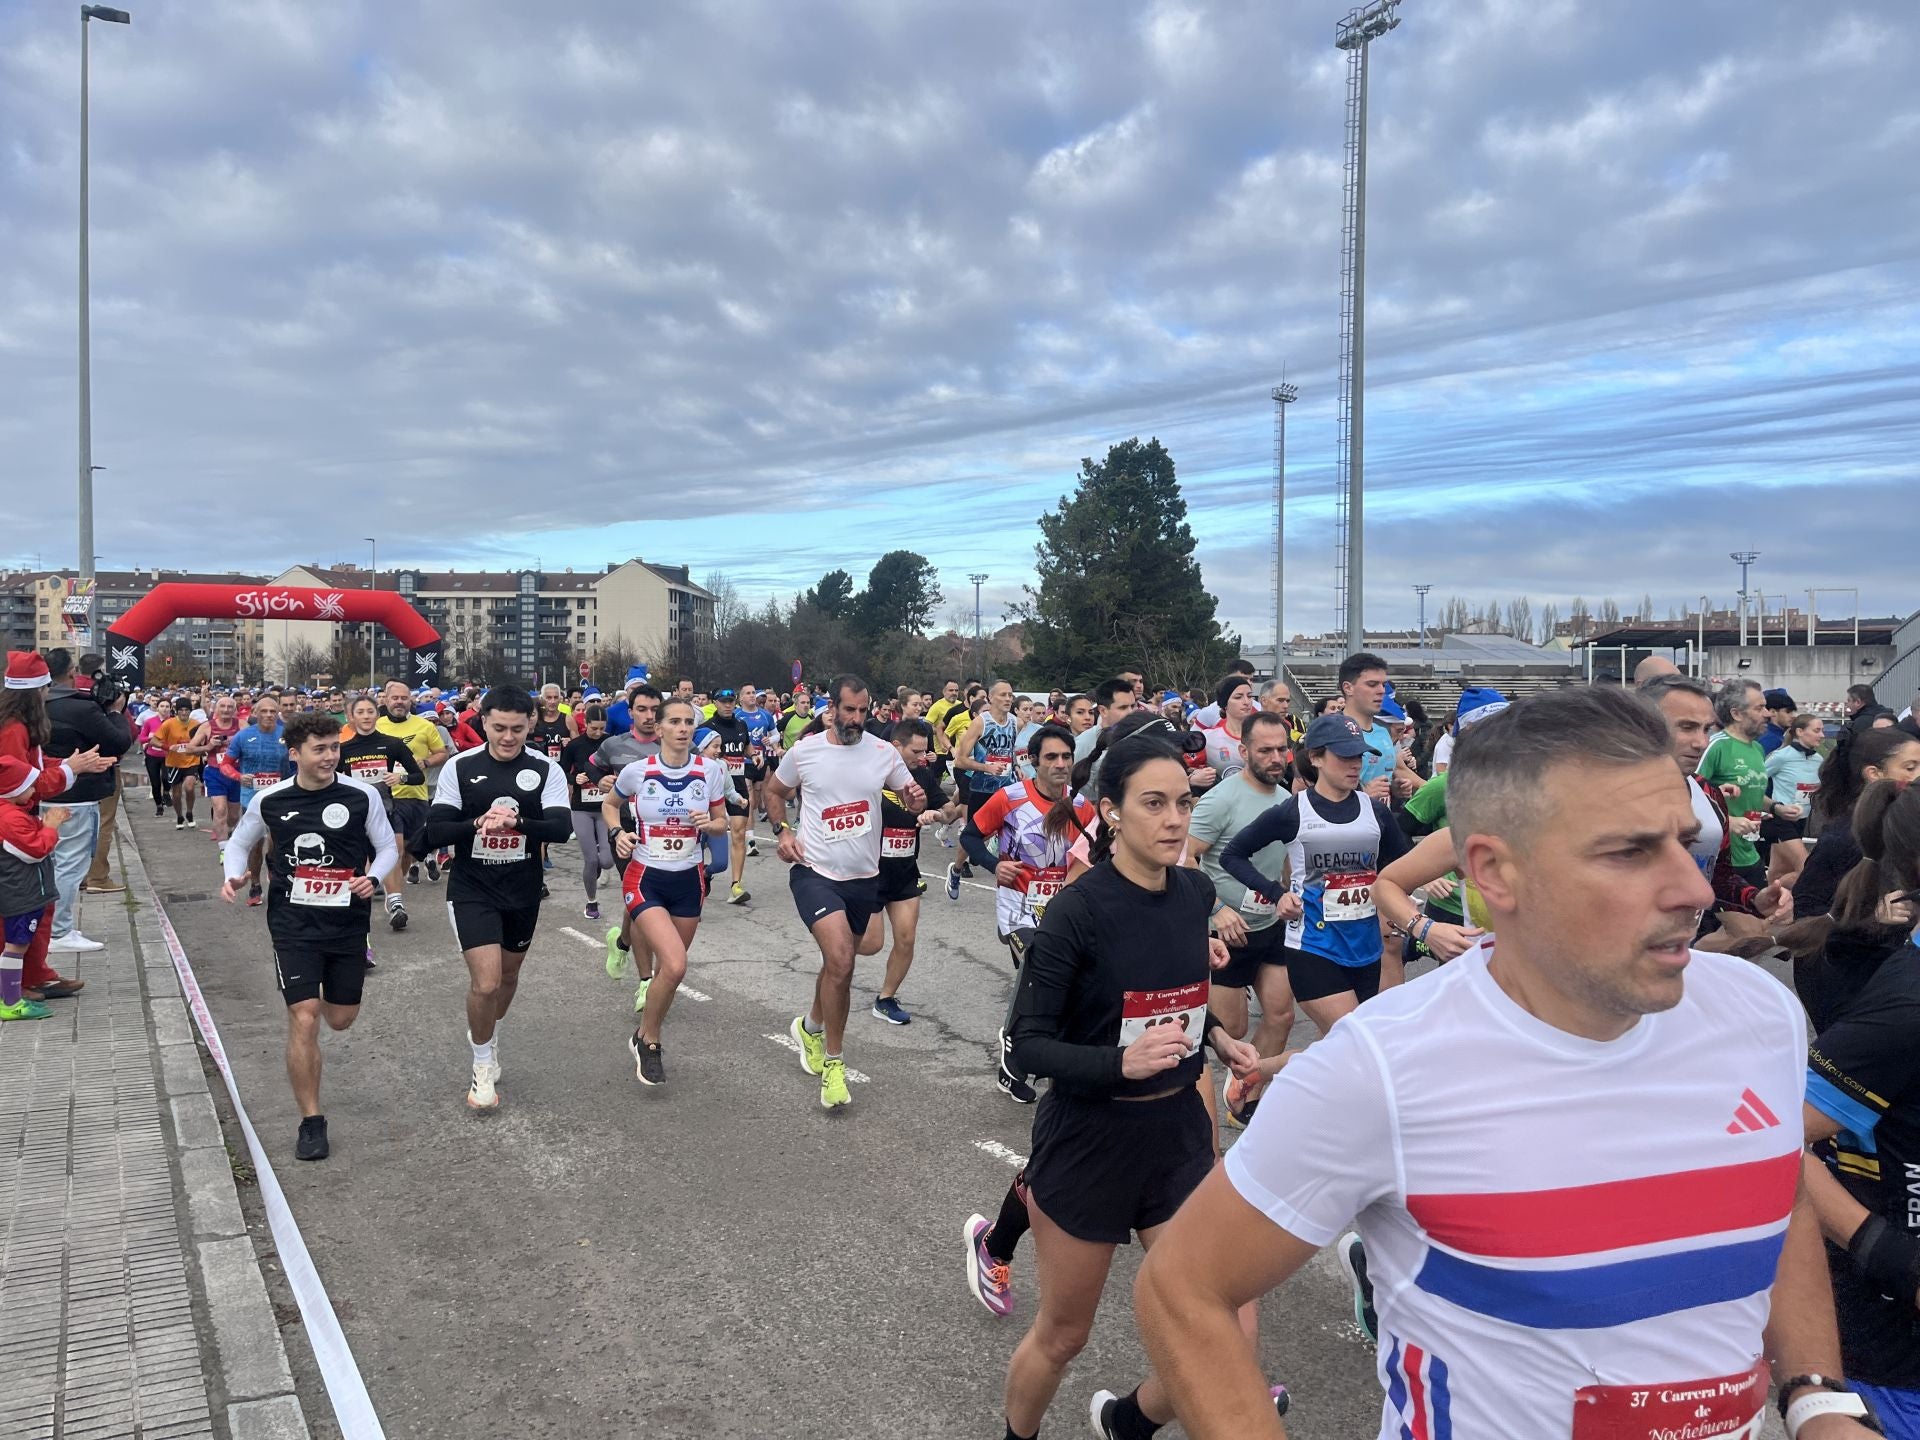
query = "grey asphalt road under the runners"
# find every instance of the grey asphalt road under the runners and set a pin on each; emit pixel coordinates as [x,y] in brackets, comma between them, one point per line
[711,1259]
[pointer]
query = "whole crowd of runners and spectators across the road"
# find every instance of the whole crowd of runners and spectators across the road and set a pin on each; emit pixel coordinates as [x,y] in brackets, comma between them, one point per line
[1570,1141]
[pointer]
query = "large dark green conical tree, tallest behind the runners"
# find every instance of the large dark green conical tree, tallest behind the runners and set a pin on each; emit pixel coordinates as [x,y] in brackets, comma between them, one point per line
[1120,587]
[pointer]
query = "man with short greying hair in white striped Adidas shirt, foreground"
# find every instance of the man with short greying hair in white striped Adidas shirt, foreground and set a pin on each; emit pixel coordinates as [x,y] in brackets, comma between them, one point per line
[1652,1088]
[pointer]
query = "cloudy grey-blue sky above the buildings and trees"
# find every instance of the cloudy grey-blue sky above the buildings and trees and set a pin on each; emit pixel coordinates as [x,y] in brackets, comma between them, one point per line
[773,289]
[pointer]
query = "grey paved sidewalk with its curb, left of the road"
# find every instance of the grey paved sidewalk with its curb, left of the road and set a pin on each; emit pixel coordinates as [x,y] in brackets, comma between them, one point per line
[132,1295]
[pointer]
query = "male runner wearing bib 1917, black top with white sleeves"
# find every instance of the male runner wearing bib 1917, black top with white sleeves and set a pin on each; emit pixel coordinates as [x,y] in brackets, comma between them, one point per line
[329,846]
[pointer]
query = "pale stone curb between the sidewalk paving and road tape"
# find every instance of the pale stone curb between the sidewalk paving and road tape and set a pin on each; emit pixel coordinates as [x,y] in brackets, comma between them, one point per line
[254,1374]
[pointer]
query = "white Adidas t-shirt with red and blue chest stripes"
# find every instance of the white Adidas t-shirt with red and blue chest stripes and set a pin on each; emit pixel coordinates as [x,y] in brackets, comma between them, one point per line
[1548,1216]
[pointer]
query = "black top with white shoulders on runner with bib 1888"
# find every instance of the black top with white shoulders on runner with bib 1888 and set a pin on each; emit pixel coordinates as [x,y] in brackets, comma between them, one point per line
[500,871]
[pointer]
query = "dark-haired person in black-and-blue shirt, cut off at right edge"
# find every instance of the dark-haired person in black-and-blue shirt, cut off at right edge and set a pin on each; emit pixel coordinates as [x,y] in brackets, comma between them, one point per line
[1863,1115]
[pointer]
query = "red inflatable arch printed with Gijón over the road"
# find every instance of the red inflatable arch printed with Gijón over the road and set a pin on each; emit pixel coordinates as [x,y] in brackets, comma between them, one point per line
[166,604]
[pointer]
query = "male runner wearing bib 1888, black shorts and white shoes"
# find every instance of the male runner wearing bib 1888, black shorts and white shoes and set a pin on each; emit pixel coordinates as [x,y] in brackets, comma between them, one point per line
[494,809]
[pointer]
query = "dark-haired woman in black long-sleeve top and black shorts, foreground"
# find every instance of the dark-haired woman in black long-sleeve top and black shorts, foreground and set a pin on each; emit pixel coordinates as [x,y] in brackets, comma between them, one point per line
[1113,1011]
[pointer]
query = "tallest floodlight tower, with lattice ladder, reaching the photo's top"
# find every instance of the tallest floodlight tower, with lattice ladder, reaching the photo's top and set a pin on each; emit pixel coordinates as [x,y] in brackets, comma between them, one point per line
[1355,36]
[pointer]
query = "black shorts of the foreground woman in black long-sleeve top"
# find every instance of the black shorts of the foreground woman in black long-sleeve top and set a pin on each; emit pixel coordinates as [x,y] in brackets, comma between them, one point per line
[1105,1170]
